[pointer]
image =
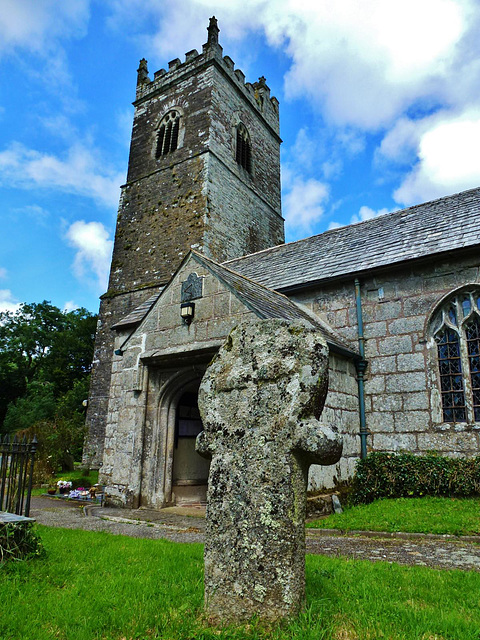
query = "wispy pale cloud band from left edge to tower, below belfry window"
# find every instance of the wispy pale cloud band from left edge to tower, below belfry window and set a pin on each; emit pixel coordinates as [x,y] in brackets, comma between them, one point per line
[80,172]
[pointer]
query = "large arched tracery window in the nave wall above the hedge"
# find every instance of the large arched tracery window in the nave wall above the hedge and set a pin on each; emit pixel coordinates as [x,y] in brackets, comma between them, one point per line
[456,330]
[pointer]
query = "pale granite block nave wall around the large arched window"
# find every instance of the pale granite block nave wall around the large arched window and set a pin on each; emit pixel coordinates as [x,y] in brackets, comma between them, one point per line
[401,389]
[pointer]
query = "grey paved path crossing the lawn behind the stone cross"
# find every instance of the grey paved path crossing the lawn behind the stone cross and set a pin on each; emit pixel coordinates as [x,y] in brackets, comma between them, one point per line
[187,525]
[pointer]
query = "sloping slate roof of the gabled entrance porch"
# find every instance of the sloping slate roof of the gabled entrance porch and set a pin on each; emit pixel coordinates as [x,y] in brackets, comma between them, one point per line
[266,303]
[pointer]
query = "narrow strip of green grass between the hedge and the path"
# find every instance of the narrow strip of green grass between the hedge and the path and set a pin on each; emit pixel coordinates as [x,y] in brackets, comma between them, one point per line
[457,516]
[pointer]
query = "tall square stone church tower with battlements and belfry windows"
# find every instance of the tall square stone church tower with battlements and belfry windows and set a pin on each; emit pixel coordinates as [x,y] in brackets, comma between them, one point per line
[203,172]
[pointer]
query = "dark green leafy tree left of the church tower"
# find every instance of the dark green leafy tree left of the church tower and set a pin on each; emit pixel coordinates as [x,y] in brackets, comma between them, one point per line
[43,352]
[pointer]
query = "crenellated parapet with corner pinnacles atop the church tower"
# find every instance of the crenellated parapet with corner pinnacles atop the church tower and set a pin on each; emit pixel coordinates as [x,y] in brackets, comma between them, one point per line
[257,93]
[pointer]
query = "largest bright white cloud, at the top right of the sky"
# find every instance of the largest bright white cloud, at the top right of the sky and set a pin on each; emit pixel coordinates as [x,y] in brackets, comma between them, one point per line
[366,62]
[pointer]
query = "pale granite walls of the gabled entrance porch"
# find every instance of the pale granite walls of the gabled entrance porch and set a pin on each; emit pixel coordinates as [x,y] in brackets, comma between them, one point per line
[163,358]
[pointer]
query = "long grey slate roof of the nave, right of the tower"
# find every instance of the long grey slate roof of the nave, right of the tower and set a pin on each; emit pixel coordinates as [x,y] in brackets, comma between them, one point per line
[447,224]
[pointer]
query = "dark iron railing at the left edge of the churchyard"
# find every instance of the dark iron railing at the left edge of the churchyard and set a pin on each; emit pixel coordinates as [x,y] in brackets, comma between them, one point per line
[16,474]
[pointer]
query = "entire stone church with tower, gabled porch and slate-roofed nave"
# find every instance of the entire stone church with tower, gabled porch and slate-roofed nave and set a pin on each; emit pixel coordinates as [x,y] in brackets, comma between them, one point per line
[199,246]
